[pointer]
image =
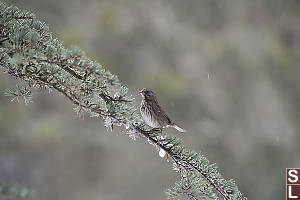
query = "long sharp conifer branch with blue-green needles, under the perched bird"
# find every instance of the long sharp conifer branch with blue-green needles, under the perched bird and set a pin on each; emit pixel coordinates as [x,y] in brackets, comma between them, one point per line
[29,52]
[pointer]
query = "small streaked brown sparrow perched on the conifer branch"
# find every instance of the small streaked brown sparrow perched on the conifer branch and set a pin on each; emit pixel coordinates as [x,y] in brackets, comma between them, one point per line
[153,114]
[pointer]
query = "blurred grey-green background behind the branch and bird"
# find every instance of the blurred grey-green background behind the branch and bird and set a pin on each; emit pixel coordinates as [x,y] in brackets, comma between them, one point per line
[227,71]
